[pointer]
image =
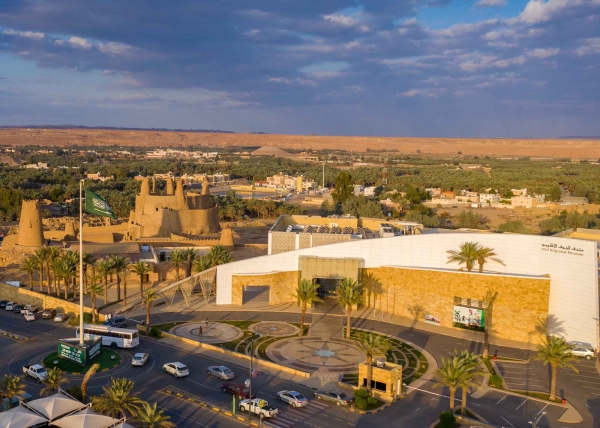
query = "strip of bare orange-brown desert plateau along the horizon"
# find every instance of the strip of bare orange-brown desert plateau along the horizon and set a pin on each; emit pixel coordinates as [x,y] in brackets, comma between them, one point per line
[578,149]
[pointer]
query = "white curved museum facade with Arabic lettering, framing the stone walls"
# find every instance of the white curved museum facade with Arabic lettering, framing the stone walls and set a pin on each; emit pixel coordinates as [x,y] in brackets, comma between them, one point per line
[572,265]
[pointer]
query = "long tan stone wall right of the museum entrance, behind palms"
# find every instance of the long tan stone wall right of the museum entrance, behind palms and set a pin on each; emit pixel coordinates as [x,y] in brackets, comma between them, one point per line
[521,303]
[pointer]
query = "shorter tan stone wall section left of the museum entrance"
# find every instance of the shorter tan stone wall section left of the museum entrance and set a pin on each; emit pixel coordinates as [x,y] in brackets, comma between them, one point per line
[282,286]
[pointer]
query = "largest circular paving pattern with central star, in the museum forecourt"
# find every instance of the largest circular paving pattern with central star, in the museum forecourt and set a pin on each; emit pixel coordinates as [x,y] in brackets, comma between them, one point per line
[311,354]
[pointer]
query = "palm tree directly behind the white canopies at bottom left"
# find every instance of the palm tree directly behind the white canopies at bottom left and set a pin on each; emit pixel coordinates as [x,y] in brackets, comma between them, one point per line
[118,399]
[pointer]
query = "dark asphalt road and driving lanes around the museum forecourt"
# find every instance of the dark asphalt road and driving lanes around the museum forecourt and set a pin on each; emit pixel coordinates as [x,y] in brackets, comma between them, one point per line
[418,409]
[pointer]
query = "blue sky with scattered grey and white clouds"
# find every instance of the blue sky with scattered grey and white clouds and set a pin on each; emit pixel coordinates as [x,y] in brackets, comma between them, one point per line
[423,68]
